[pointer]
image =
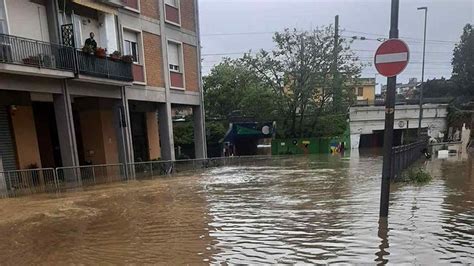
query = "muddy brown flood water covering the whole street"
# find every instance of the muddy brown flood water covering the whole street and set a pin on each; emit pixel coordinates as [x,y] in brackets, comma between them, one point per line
[320,209]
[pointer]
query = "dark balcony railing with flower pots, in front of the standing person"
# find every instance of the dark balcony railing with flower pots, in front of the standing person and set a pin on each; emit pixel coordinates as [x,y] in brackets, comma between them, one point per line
[92,65]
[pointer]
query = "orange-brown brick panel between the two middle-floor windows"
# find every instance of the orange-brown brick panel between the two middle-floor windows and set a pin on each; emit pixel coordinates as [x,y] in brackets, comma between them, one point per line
[153,59]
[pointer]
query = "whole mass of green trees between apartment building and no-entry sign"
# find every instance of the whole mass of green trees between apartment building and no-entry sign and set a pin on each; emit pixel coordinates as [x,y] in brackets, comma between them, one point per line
[296,84]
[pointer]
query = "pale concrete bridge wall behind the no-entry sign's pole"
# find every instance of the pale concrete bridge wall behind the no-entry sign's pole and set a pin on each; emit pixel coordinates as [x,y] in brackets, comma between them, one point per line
[367,123]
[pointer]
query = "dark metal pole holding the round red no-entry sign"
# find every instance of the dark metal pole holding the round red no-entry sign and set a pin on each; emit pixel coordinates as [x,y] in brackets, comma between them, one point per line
[389,119]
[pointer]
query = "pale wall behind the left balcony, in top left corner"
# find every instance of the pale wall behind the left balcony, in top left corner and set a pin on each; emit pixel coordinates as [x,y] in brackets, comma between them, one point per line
[27,19]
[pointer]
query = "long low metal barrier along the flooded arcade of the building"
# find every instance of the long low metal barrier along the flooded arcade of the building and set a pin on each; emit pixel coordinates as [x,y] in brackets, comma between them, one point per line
[25,182]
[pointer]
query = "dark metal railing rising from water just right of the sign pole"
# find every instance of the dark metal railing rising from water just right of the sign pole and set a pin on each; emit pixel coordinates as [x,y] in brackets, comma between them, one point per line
[405,155]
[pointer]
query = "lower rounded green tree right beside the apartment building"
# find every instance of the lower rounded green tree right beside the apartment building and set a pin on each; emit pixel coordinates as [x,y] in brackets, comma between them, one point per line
[231,86]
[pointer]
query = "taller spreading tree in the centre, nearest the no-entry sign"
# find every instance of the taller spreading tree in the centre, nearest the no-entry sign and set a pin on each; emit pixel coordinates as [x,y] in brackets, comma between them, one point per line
[301,74]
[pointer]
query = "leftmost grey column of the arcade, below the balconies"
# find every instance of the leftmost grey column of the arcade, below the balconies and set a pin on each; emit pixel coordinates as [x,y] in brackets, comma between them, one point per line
[65,126]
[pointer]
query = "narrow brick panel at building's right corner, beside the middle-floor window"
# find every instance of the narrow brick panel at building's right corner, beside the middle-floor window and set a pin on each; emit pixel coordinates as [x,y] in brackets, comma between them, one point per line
[191,67]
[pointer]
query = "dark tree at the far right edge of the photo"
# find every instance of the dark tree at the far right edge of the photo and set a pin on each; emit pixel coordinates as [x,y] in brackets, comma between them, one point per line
[463,62]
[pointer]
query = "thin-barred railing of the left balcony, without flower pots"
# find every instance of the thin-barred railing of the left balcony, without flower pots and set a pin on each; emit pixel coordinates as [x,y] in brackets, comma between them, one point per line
[22,51]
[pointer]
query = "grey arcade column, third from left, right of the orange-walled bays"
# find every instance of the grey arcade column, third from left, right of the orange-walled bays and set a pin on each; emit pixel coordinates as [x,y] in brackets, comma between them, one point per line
[166,131]
